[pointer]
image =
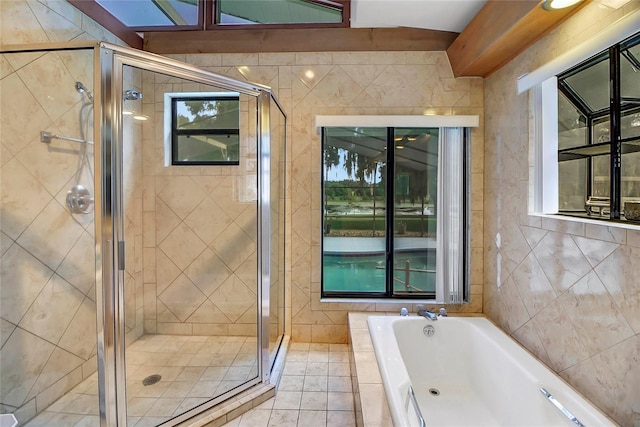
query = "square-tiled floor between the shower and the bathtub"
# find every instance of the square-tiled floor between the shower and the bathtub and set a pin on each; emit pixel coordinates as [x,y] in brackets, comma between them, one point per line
[314,390]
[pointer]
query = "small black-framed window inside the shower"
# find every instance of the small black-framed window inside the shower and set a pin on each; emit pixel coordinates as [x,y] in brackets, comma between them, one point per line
[205,129]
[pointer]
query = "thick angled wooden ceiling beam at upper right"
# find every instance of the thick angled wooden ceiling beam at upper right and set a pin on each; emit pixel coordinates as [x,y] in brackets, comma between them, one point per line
[501,31]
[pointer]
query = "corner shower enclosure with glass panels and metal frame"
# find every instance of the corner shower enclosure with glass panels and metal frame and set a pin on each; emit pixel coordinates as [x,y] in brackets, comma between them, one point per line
[142,226]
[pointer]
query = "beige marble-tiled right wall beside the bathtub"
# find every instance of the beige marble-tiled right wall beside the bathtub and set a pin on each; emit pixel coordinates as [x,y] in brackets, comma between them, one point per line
[568,291]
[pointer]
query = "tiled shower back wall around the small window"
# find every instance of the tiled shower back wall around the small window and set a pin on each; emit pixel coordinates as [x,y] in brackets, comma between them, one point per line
[200,238]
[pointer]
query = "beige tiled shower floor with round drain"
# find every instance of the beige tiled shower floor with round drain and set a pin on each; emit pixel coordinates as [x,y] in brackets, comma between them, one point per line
[193,369]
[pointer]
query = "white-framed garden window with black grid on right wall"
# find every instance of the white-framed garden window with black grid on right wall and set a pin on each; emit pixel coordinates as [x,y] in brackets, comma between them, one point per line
[586,127]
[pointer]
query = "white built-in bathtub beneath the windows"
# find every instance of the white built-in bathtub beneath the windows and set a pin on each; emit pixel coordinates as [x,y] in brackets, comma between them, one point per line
[483,377]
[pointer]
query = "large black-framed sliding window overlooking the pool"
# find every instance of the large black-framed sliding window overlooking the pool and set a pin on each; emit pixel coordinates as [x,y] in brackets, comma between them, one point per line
[393,217]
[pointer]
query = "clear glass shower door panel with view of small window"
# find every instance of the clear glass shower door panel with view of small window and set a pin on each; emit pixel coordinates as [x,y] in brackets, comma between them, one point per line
[188,286]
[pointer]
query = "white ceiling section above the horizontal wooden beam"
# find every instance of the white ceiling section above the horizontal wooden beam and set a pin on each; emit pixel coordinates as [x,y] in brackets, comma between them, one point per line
[442,15]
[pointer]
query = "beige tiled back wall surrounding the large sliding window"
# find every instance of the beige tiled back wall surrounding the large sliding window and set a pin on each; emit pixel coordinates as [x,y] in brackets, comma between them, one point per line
[310,84]
